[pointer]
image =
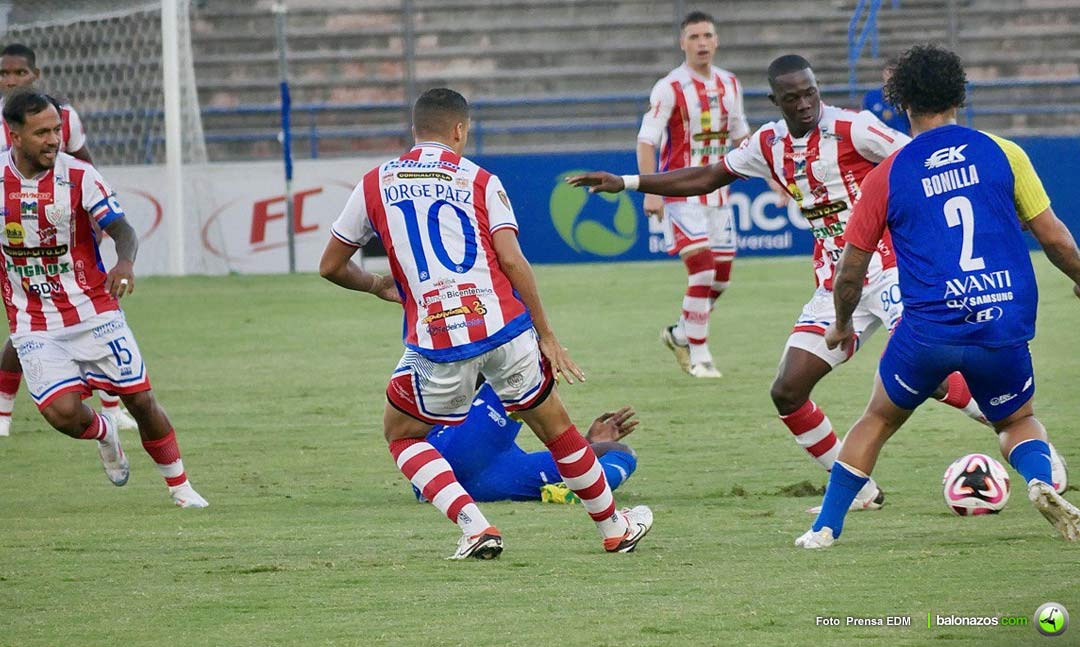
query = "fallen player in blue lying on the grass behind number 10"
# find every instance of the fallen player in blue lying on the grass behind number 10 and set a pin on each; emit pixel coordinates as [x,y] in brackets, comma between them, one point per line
[491,467]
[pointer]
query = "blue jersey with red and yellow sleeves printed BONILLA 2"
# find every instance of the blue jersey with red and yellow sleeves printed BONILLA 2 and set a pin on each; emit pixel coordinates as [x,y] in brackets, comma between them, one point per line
[954,200]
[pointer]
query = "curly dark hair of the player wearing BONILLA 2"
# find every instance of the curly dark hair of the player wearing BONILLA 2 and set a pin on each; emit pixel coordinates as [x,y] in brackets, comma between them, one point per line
[928,80]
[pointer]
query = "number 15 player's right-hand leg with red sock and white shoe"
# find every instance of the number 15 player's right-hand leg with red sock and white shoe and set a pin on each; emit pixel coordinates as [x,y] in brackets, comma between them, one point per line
[159,440]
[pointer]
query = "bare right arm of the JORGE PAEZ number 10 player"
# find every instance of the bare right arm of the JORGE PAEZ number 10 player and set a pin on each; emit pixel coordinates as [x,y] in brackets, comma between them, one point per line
[520,273]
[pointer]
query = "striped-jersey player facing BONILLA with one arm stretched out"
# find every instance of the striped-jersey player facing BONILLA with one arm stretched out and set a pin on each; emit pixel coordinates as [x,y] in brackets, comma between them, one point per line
[820,155]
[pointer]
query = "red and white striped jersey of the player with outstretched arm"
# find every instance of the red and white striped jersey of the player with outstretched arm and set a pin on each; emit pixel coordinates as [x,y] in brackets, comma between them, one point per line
[822,171]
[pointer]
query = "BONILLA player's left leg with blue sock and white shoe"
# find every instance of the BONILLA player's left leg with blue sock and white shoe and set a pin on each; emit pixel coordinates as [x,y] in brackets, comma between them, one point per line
[852,473]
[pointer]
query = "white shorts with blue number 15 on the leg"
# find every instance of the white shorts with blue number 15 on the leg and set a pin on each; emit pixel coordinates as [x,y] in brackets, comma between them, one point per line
[98,354]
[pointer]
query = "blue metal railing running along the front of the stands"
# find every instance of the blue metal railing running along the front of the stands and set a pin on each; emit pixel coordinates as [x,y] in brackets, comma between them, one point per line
[315,134]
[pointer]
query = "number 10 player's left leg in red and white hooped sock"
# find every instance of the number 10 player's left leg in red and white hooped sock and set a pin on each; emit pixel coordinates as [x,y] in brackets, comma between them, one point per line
[429,473]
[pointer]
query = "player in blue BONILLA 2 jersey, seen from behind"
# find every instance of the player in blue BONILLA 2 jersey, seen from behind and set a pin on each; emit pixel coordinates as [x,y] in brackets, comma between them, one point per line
[954,200]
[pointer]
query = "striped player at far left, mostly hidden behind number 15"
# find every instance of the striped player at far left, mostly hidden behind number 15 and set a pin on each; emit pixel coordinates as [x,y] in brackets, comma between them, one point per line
[19,73]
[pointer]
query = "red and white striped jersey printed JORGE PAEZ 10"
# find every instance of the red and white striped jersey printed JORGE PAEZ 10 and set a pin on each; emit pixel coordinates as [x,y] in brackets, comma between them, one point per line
[435,213]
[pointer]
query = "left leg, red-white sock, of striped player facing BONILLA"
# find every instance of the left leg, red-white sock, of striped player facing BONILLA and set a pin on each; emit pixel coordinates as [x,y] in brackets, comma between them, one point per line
[800,372]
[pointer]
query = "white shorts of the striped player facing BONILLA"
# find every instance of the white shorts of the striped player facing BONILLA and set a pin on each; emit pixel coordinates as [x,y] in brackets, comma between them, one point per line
[881,305]
